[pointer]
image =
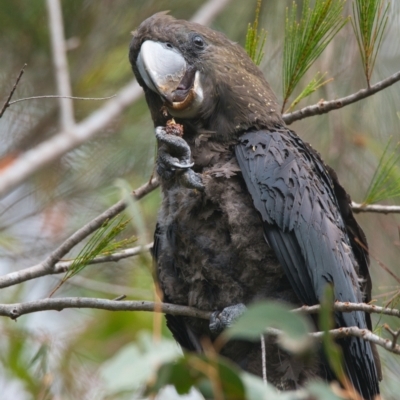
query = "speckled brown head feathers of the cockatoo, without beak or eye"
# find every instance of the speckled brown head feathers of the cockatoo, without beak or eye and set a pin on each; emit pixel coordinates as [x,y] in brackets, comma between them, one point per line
[236,95]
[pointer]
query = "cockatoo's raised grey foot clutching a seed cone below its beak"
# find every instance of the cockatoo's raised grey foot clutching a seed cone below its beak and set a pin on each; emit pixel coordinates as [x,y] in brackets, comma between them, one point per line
[174,160]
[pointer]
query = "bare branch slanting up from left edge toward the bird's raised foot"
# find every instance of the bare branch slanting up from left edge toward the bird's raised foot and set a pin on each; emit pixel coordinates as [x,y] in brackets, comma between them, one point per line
[46,267]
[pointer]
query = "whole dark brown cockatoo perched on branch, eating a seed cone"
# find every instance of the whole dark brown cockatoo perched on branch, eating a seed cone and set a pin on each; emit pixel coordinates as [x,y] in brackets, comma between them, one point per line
[249,211]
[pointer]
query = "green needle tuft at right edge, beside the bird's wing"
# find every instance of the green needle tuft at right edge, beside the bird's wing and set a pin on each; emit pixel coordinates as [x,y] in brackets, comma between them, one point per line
[385,183]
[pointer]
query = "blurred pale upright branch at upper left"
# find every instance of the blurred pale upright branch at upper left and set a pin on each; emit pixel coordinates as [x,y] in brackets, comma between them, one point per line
[60,62]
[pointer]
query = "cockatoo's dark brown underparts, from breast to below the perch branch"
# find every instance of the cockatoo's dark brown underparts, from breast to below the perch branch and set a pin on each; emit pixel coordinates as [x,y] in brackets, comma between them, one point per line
[211,254]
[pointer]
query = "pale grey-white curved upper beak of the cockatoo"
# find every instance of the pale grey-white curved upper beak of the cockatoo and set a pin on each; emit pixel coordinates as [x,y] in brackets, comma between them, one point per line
[162,67]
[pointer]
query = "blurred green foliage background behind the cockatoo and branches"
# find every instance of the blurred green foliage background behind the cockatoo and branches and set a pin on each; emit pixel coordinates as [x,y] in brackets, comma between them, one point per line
[82,354]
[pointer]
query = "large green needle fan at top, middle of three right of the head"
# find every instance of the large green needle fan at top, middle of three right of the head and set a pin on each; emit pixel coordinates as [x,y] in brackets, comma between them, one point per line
[307,39]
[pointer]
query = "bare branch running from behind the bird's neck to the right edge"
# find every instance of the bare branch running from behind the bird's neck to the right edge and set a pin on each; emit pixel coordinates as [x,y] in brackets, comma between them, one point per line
[325,106]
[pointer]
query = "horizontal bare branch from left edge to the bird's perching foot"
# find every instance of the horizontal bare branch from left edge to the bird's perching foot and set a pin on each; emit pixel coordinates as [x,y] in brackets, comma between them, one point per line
[17,309]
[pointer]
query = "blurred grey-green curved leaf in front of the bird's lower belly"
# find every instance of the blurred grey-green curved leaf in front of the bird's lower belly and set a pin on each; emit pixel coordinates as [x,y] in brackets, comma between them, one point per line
[270,314]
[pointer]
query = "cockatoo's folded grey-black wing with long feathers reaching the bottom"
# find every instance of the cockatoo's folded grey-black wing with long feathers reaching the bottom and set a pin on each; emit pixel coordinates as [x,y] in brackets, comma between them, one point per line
[294,194]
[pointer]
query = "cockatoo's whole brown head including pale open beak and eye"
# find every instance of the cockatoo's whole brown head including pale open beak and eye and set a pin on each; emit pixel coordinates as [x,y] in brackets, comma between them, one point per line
[199,76]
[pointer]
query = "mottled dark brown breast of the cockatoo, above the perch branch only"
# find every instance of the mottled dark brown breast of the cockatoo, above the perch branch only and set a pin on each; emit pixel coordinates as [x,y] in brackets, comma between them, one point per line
[213,249]
